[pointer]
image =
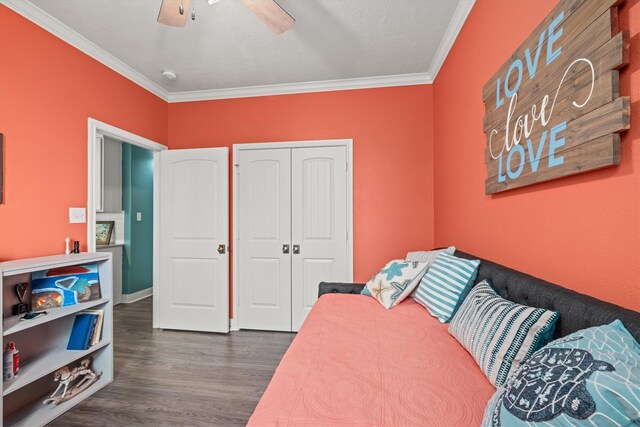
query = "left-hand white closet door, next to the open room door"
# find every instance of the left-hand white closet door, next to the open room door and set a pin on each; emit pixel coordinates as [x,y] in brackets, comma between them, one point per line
[265,227]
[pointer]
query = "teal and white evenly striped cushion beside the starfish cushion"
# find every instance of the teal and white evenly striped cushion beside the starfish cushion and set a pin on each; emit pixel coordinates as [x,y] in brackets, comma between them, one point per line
[447,282]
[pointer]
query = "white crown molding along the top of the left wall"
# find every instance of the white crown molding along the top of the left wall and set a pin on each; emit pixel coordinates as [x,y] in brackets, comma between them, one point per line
[60,30]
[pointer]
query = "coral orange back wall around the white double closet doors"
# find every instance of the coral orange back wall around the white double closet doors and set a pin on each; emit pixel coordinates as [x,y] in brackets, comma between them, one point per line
[392,132]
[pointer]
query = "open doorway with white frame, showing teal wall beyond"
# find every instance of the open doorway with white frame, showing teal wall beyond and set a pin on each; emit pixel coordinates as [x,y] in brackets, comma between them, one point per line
[124,189]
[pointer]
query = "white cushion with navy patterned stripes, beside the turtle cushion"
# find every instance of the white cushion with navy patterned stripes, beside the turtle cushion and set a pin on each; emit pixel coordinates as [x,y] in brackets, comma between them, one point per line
[498,333]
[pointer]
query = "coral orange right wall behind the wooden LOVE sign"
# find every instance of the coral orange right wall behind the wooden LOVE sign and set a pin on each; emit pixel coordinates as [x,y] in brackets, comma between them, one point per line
[583,231]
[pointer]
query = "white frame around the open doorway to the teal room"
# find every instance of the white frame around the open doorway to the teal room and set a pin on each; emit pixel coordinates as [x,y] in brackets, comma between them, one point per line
[96,127]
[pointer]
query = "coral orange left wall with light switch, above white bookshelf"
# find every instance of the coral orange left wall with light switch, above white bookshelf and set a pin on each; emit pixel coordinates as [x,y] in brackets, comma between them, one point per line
[48,90]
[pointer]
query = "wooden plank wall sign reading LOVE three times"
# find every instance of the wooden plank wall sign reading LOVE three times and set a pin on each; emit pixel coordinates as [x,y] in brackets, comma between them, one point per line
[554,108]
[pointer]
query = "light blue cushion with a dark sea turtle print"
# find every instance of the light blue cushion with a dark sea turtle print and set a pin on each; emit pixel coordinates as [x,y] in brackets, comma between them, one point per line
[591,377]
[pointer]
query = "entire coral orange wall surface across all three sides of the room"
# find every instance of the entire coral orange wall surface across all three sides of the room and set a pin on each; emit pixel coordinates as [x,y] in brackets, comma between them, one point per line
[582,231]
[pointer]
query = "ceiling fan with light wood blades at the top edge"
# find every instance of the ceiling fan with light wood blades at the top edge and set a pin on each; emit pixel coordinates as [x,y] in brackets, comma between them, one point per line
[174,13]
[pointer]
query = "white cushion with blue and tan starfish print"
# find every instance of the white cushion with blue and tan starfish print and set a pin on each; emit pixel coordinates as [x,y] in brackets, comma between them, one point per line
[395,282]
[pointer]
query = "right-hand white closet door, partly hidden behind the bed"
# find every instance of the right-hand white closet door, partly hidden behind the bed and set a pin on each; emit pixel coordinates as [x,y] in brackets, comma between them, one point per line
[318,223]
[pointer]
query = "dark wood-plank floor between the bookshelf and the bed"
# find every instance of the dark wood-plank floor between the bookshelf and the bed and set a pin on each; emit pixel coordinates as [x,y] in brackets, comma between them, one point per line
[167,377]
